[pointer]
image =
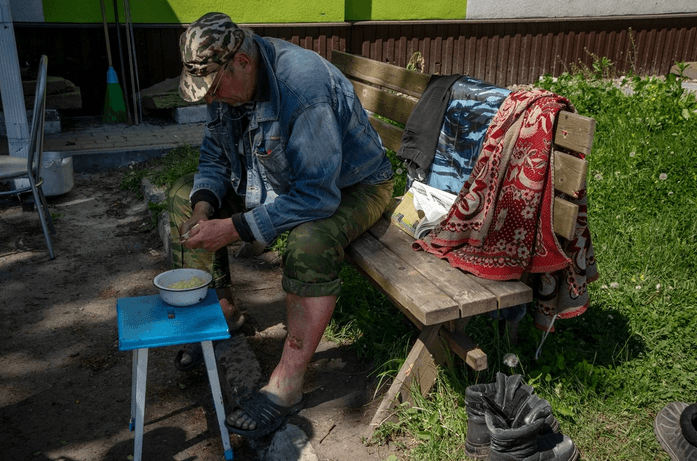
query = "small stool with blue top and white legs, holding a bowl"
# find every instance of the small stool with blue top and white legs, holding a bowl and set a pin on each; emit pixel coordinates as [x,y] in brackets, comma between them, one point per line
[146,322]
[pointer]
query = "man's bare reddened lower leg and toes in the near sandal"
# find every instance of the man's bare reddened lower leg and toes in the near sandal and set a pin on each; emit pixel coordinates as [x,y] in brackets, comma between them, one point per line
[307,320]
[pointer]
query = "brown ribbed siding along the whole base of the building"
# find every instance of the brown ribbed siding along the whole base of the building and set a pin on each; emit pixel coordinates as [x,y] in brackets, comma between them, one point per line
[500,52]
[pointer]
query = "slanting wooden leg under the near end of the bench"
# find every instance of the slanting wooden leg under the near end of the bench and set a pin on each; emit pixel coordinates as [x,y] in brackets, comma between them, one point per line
[419,367]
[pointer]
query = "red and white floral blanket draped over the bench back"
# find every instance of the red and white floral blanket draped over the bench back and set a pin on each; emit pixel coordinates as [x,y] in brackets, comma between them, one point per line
[500,225]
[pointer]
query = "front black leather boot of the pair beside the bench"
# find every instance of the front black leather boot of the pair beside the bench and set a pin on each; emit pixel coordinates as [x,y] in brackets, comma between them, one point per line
[527,437]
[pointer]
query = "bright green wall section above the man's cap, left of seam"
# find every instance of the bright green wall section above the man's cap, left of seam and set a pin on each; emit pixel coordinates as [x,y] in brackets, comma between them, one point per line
[185,11]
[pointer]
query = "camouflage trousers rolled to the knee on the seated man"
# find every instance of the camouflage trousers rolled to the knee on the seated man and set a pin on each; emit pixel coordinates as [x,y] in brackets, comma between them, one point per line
[315,250]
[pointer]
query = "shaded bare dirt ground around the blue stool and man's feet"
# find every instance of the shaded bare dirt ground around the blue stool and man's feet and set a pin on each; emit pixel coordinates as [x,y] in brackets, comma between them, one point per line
[65,388]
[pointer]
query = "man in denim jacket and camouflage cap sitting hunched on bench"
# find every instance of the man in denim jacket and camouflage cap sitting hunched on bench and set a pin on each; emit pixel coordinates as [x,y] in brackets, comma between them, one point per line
[287,147]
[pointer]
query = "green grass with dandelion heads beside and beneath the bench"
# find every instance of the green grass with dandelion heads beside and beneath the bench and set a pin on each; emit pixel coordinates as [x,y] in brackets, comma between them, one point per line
[608,372]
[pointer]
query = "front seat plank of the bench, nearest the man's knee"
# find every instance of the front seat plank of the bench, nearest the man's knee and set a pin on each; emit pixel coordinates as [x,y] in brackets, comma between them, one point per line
[402,283]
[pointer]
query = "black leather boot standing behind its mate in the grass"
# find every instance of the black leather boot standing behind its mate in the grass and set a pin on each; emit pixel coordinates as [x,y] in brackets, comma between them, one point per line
[510,394]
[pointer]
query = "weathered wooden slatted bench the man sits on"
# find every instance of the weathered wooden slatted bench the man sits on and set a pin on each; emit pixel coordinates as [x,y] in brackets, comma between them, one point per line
[436,297]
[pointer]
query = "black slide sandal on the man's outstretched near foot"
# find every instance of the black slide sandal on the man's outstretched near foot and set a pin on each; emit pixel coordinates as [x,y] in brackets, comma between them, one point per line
[268,415]
